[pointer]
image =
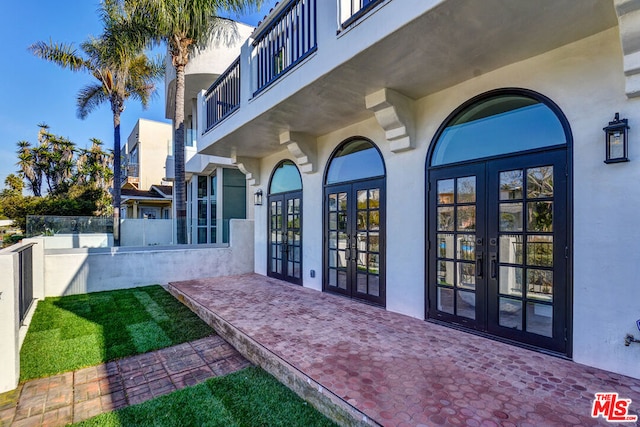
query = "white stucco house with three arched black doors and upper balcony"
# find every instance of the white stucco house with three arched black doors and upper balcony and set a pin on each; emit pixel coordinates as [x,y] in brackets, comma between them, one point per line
[445,160]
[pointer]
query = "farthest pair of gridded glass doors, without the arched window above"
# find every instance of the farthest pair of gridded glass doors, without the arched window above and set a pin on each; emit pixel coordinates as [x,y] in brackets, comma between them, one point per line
[285,237]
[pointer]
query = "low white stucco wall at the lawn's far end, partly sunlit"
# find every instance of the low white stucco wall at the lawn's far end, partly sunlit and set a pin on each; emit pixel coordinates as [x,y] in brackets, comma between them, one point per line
[77,271]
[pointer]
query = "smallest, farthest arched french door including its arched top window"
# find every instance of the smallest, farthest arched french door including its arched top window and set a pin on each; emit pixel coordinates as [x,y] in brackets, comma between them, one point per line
[285,223]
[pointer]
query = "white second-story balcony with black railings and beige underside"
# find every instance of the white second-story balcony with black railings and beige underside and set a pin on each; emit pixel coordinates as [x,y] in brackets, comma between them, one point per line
[312,66]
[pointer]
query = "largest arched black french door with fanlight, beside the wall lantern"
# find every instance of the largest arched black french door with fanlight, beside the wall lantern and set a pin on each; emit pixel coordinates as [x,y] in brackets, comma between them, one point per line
[498,202]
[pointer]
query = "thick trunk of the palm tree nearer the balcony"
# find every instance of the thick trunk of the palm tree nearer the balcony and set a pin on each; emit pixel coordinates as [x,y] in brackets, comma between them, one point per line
[179,196]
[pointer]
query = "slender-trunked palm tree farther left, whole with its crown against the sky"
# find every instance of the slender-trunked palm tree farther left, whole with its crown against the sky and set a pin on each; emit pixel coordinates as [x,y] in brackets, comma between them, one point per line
[122,70]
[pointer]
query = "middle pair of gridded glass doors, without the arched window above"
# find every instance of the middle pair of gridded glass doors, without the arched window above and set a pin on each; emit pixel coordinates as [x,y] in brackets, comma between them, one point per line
[354,240]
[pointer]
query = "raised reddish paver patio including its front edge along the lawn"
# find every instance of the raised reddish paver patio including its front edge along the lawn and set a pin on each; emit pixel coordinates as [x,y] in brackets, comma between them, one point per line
[392,369]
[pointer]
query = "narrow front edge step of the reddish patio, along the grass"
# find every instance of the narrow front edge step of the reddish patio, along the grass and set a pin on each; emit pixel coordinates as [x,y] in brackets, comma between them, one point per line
[328,403]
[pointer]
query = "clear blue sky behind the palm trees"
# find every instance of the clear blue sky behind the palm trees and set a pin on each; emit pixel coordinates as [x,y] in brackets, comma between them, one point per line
[35,91]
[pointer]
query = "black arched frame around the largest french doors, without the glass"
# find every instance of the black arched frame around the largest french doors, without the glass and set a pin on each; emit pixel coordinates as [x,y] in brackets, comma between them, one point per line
[568,147]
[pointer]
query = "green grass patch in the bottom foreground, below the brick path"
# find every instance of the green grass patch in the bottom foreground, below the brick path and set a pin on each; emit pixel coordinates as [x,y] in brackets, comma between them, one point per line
[250,397]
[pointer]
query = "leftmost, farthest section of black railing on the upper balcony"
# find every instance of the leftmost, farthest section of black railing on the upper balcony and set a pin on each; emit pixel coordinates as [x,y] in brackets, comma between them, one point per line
[223,97]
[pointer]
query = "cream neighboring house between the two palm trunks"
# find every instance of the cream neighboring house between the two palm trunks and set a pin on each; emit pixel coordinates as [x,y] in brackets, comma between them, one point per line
[145,193]
